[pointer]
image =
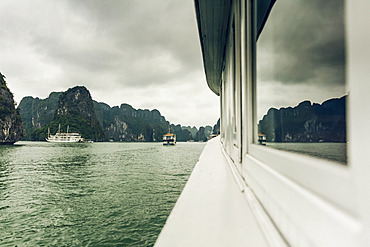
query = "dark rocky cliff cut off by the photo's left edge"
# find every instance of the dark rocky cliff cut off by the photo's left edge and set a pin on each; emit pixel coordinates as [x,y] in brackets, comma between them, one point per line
[11,129]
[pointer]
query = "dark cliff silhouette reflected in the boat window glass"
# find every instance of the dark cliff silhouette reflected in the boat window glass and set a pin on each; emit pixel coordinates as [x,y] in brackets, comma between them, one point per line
[306,122]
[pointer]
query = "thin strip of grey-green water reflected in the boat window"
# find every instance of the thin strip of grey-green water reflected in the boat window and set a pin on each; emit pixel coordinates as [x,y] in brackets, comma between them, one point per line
[330,151]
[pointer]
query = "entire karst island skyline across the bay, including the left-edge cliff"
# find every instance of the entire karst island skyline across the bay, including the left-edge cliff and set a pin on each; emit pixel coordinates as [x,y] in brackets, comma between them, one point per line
[76,111]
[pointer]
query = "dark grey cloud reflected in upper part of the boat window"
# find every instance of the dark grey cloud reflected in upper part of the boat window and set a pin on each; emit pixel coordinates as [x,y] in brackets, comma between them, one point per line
[305,43]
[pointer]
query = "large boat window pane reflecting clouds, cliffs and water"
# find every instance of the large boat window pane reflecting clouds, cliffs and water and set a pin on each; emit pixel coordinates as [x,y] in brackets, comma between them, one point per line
[301,94]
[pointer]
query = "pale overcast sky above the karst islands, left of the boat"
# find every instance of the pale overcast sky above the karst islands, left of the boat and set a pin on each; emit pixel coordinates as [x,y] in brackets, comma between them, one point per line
[145,53]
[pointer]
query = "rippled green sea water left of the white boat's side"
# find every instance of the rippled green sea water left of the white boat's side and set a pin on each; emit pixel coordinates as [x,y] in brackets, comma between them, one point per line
[100,194]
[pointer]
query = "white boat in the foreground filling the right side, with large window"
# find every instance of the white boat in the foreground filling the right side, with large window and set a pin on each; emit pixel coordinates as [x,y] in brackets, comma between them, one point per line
[241,193]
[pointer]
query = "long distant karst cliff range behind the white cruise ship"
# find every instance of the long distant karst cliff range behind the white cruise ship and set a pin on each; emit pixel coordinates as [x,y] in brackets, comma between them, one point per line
[76,108]
